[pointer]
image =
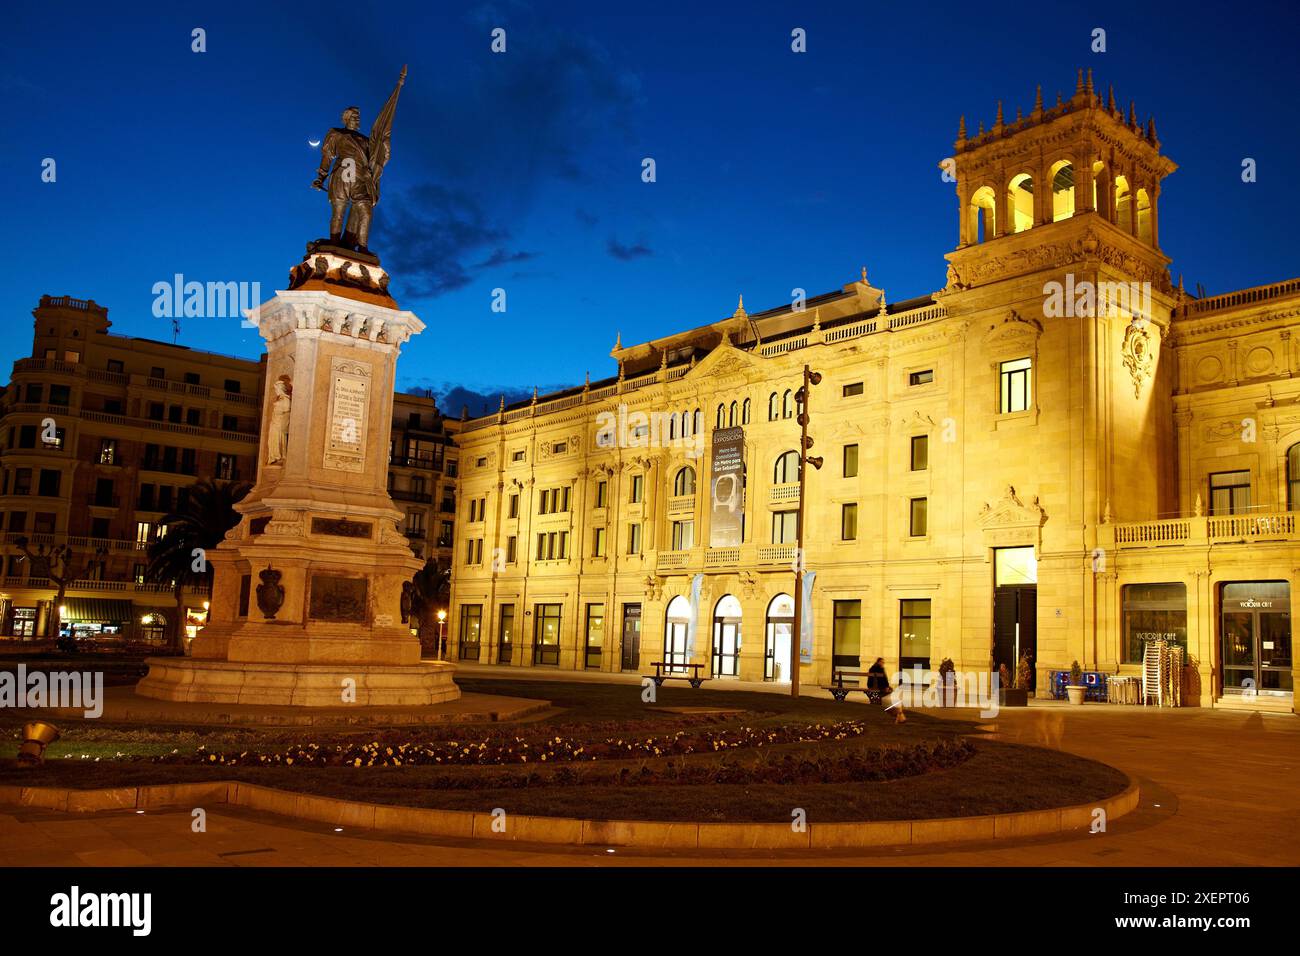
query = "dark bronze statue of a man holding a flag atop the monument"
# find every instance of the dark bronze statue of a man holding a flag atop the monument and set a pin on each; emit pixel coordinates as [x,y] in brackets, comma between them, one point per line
[358,163]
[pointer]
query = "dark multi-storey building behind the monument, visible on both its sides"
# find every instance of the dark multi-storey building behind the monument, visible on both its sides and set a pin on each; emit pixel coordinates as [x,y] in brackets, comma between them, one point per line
[102,435]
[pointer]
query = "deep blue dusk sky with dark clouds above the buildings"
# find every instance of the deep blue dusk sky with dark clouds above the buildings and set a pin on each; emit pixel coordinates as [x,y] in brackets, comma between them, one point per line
[523,171]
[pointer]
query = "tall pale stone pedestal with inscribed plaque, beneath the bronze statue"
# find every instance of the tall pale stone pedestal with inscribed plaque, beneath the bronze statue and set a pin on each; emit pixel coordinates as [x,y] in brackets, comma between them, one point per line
[307,594]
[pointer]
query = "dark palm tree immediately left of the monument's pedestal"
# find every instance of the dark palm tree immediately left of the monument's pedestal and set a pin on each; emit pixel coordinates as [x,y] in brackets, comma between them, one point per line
[179,556]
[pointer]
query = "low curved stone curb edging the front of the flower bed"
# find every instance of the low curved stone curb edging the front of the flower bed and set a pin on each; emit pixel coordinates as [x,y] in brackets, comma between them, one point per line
[569,832]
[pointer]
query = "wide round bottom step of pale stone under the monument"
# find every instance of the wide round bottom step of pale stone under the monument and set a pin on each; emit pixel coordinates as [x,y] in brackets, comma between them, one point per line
[300,685]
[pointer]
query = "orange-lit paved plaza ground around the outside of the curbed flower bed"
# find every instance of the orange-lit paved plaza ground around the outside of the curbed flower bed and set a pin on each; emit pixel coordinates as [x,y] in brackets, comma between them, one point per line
[1219,789]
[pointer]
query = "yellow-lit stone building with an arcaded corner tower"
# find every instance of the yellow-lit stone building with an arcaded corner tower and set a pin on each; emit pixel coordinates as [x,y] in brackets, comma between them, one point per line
[1059,452]
